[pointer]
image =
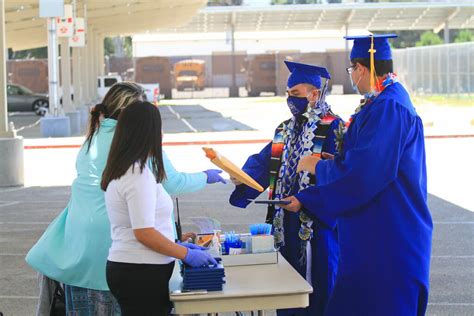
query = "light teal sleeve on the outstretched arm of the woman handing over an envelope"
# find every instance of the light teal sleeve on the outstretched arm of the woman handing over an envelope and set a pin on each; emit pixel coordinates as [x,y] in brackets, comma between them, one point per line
[181,182]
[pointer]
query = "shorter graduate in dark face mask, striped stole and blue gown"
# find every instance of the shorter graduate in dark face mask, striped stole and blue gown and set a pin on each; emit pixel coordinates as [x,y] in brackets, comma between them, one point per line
[308,244]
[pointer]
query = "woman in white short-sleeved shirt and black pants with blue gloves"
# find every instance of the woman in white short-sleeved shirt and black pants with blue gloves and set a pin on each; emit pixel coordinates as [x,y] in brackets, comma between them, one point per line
[142,255]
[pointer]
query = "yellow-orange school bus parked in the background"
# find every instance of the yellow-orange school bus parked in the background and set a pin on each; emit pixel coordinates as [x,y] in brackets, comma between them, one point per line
[190,73]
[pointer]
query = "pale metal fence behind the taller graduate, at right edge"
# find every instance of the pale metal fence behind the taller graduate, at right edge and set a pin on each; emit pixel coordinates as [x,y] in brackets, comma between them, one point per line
[439,69]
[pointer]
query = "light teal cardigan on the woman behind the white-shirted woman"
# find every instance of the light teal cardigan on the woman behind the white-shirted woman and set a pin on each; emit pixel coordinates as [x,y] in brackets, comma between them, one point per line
[75,246]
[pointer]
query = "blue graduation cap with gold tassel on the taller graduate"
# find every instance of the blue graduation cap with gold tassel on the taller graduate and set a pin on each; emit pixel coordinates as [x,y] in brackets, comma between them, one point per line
[362,46]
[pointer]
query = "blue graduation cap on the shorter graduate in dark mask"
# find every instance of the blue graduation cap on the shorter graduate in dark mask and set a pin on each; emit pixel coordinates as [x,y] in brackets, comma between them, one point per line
[304,73]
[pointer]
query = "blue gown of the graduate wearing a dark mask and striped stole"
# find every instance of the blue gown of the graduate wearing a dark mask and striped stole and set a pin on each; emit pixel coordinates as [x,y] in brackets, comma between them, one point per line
[324,244]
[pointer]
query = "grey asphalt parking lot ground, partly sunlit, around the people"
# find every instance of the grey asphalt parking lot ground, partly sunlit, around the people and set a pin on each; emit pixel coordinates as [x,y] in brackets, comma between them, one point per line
[26,212]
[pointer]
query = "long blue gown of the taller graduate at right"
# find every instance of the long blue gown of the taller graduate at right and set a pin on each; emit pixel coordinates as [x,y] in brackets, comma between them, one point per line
[377,194]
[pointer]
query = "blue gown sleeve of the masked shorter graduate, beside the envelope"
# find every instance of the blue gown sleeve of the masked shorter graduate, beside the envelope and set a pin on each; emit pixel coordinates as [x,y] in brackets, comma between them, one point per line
[258,167]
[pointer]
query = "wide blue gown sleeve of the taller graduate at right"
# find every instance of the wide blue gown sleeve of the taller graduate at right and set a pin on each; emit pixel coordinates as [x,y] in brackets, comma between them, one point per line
[368,167]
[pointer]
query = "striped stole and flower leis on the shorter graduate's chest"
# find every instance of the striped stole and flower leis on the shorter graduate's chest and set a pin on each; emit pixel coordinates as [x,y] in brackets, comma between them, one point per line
[285,154]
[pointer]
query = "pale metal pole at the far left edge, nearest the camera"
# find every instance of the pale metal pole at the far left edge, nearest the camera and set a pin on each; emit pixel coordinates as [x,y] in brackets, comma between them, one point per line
[4,131]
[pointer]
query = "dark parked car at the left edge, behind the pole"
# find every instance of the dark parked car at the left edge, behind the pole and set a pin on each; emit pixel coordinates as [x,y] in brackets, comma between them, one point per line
[20,98]
